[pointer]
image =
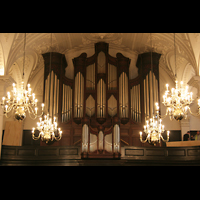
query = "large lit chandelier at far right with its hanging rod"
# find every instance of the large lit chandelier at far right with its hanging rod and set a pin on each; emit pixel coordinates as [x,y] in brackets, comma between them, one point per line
[179,99]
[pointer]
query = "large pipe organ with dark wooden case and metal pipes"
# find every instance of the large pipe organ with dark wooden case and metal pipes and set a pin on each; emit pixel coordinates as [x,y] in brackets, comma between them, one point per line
[101,108]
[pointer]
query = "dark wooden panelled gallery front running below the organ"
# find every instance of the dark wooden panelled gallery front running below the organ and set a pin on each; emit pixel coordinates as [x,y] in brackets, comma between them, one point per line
[130,155]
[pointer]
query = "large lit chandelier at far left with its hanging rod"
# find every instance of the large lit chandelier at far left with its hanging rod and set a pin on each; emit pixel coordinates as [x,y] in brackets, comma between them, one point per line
[21,101]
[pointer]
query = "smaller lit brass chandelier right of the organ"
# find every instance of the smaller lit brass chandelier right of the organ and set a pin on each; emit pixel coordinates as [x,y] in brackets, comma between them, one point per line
[154,129]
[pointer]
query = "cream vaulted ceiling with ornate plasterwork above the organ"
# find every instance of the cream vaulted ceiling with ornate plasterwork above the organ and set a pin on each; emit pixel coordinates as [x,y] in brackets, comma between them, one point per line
[73,44]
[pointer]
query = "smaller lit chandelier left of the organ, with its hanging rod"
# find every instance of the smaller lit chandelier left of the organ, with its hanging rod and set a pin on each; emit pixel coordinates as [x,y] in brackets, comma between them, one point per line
[48,130]
